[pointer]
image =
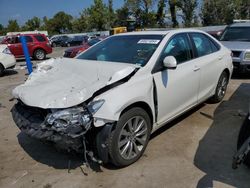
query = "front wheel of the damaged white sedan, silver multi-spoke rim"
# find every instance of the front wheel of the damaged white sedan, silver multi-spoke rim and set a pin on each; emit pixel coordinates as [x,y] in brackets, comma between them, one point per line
[130,137]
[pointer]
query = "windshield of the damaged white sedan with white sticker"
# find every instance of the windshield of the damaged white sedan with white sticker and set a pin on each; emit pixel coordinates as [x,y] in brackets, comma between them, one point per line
[134,49]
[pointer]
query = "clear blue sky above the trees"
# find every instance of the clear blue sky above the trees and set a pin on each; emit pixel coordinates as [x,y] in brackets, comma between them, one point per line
[22,10]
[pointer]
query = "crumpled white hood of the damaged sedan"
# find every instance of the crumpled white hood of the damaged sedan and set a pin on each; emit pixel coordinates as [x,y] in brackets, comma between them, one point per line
[63,82]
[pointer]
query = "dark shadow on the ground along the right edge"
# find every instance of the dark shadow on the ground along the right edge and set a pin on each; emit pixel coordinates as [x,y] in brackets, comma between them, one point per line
[217,147]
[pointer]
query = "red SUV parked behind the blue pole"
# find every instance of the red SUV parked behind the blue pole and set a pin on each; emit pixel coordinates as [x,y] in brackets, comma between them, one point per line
[38,45]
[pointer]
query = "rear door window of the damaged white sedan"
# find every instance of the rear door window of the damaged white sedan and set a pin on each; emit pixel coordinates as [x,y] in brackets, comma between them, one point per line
[203,44]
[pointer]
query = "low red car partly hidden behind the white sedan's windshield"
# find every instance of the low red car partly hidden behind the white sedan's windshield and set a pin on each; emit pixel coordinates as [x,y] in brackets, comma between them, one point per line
[72,52]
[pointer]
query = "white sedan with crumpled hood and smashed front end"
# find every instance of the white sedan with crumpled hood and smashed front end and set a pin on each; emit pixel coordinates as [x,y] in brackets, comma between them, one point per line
[108,100]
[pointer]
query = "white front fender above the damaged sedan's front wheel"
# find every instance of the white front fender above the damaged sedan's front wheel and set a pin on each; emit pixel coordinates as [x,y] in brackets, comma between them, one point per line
[138,89]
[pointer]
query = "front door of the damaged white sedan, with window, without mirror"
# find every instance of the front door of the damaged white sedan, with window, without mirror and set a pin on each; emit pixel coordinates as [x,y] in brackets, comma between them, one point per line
[176,89]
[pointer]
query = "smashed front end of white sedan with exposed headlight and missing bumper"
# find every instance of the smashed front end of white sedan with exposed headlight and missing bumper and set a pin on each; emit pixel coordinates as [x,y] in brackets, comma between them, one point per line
[68,129]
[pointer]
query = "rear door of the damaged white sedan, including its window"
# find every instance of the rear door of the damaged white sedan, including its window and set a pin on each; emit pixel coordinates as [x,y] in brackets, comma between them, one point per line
[210,62]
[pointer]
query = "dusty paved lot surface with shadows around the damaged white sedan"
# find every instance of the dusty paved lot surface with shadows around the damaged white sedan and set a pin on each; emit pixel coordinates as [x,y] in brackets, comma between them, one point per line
[193,151]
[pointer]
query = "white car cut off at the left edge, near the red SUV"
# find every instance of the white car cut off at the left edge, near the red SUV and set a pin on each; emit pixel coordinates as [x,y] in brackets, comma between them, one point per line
[7,60]
